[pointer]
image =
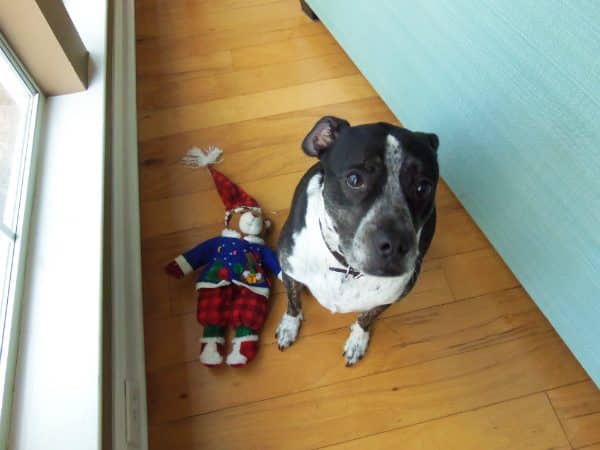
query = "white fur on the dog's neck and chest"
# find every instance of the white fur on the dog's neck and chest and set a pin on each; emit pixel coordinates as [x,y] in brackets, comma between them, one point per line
[310,263]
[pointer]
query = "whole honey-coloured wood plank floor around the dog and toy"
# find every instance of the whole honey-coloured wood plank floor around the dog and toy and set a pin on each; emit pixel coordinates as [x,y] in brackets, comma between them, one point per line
[467,361]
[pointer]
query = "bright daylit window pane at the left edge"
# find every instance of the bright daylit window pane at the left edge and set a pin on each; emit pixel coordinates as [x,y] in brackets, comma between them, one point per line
[18,110]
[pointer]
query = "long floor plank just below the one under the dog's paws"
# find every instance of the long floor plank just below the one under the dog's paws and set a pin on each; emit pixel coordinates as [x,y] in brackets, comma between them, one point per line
[363,406]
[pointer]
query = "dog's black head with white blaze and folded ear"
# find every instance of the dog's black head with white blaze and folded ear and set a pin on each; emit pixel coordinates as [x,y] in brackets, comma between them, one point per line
[379,183]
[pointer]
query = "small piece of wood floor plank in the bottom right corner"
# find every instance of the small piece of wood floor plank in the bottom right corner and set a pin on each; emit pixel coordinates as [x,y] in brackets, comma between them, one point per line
[578,408]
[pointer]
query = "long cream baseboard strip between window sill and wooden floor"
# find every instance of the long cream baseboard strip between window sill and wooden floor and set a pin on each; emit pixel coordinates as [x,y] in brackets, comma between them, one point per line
[125,286]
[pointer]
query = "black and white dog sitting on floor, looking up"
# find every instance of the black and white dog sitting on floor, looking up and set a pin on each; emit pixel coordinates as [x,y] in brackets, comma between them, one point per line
[360,223]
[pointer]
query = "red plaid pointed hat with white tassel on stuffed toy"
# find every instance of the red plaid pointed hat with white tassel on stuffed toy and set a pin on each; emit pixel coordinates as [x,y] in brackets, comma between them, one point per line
[234,198]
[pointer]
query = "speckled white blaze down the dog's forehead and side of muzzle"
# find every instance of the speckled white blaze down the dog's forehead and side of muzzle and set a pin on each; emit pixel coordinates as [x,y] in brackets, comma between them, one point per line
[392,195]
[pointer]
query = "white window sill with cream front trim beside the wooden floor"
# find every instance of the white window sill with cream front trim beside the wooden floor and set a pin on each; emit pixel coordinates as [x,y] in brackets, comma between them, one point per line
[81,337]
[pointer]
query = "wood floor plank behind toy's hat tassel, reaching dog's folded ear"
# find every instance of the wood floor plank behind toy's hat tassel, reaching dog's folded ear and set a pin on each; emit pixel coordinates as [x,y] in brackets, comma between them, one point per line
[273,141]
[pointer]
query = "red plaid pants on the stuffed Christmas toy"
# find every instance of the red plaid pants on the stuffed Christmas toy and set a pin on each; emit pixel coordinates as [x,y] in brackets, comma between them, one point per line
[232,306]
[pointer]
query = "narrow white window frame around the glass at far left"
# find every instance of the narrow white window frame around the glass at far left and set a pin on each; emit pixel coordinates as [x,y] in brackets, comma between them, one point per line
[25,193]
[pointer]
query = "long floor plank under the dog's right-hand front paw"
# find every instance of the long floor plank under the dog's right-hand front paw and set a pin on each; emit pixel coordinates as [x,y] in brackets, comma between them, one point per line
[398,341]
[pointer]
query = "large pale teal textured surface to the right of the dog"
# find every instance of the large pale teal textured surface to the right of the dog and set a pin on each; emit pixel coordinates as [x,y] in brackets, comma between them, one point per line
[513,90]
